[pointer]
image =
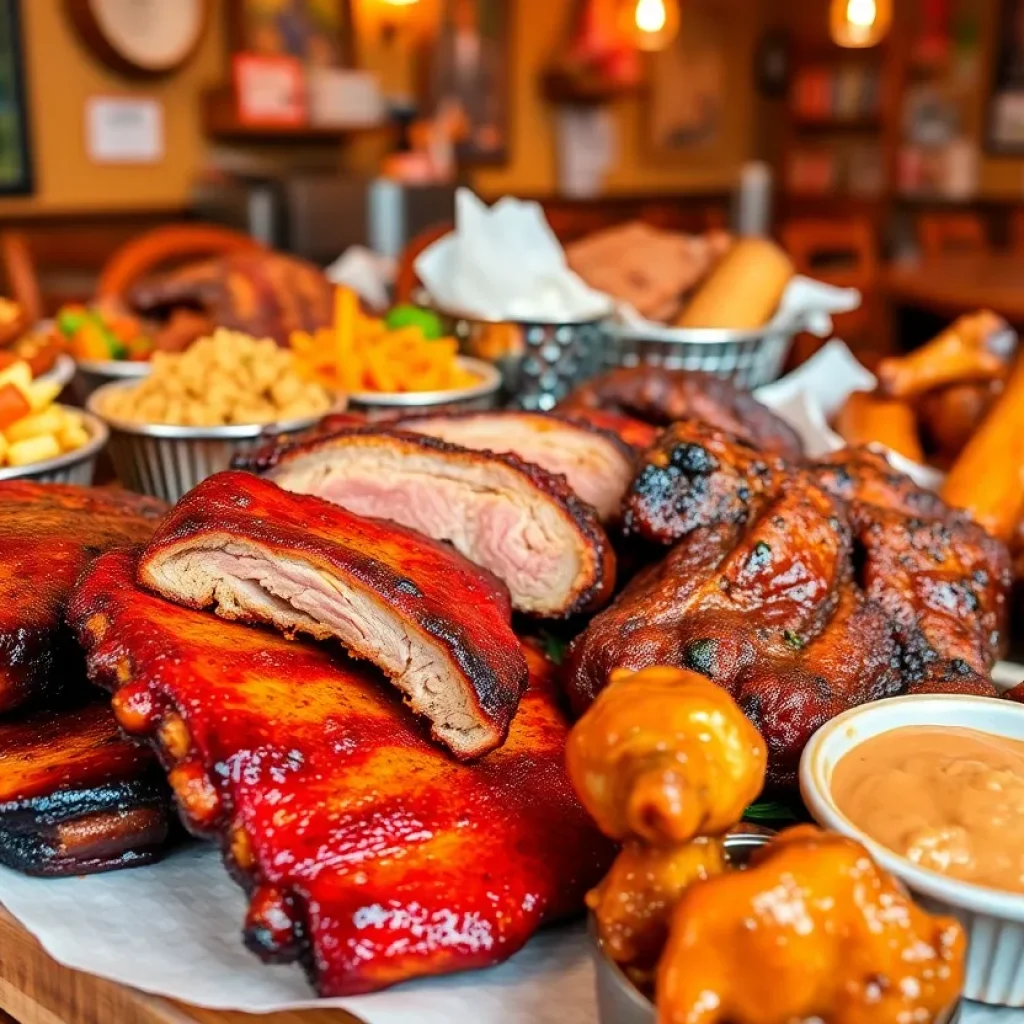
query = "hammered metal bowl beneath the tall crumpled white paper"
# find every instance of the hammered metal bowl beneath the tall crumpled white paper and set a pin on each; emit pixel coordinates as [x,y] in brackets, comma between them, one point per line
[540,363]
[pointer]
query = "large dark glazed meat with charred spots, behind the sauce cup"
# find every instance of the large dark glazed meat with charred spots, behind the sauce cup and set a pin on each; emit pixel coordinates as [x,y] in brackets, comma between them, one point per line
[803,590]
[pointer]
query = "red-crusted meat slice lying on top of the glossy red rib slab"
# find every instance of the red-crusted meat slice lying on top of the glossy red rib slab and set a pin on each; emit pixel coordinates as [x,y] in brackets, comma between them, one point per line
[435,624]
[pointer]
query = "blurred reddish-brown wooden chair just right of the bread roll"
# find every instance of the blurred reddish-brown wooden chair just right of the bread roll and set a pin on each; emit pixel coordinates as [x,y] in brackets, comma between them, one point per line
[844,253]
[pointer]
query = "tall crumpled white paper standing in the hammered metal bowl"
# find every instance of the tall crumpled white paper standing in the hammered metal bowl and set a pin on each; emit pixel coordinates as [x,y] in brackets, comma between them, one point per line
[504,264]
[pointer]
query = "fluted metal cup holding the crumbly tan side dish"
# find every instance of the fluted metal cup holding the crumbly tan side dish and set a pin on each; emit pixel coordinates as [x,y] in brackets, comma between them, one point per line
[167,461]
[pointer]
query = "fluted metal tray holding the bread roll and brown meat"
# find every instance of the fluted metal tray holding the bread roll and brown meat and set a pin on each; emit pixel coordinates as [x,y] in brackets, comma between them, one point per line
[748,358]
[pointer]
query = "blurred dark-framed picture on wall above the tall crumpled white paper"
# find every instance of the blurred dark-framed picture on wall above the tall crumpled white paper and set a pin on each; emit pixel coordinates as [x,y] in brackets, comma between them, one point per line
[467,78]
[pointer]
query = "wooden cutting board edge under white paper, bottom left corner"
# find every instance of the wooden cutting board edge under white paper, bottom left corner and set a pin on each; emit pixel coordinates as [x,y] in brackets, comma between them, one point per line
[35,990]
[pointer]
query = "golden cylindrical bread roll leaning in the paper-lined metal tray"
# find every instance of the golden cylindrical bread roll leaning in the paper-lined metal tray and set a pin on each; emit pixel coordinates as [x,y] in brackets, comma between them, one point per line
[744,290]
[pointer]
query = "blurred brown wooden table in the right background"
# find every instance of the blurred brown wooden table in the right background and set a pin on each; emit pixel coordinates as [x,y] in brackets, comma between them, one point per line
[956,285]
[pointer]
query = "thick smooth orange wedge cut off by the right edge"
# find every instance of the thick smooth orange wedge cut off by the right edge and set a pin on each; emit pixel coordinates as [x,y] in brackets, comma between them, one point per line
[988,480]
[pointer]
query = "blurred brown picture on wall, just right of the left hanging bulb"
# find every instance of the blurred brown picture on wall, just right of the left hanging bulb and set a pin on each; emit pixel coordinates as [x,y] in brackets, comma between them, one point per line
[697,87]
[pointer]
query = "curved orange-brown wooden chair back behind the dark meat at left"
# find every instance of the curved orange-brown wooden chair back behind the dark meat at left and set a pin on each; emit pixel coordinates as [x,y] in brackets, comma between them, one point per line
[166,246]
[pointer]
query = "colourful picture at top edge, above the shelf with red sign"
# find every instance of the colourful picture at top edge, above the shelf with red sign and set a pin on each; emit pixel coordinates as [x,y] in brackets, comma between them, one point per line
[318,33]
